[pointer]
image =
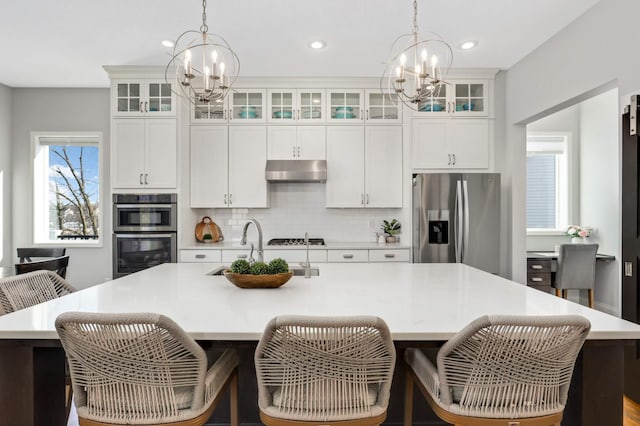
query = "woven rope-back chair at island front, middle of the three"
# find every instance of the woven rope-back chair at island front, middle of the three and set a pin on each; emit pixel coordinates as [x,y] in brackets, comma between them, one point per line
[324,370]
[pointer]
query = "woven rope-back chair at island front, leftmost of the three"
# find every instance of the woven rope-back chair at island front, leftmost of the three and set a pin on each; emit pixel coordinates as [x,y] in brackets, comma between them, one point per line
[142,368]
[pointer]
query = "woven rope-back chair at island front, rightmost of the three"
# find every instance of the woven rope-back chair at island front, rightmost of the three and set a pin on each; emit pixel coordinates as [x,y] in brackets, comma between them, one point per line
[500,370]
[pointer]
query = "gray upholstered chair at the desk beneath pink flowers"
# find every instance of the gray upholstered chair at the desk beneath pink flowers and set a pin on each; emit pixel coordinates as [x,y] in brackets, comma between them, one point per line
[576,269]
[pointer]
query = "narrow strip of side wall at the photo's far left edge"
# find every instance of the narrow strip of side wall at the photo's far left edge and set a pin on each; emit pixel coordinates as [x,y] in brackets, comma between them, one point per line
[5,176]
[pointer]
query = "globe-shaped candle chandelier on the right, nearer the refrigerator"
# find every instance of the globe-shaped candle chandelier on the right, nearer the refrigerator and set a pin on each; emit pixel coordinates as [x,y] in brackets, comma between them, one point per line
[417,68]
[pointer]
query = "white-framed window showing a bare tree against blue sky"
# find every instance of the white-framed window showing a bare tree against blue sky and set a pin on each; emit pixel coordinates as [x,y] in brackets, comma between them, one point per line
[66,188]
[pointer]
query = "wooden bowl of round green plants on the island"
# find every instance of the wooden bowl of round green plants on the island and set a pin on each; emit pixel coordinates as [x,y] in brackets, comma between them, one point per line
[245,274]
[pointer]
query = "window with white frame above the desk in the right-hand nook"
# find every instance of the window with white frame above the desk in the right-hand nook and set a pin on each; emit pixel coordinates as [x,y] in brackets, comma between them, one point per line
[547,182]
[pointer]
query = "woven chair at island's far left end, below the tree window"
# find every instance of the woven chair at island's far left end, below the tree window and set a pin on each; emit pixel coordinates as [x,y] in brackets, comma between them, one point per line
[25,290]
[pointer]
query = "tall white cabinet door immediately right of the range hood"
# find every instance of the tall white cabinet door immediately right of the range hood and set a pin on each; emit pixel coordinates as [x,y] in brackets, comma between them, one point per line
[345,166]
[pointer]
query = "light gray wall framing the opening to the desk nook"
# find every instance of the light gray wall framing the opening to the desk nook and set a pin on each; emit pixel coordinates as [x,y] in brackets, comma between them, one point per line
[589,56]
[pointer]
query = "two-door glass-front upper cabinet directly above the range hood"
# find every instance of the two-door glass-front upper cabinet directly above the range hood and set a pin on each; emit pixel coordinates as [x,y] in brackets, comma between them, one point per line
[296,106]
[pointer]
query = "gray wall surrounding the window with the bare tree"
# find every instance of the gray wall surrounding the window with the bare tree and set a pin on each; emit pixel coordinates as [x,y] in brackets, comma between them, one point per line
[41,110]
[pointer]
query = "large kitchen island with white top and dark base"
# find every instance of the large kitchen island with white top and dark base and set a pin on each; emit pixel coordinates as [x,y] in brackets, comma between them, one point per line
[423,304]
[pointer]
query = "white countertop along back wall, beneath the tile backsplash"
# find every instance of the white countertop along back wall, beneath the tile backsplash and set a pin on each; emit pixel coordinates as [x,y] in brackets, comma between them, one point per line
[329,245]
